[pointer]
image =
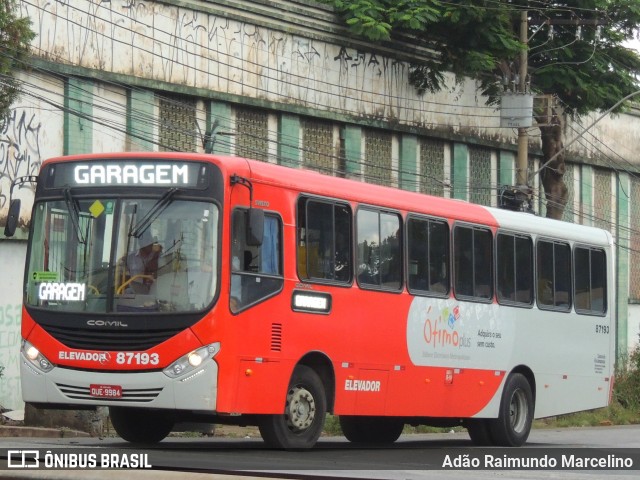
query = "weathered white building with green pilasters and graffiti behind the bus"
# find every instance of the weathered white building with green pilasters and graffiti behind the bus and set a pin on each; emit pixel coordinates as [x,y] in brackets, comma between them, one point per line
[282,82]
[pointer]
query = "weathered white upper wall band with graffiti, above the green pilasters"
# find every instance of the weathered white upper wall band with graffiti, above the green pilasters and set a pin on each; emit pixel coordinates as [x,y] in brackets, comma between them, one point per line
[296,54]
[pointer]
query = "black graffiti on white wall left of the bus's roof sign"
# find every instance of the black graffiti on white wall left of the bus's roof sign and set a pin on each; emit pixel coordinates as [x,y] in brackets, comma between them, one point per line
[20,151]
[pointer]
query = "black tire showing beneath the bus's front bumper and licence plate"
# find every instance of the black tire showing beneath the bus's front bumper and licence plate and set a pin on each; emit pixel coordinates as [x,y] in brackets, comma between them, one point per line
[137,425]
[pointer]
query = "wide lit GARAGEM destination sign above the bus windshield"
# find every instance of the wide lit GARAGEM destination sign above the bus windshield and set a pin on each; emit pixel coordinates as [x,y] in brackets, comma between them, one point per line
[144,174]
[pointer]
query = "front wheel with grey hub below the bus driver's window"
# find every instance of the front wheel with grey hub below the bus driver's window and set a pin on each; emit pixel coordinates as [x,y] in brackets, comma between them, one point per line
[300,426]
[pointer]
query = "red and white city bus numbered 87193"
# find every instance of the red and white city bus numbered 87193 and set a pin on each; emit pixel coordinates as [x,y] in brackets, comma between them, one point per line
[175,287]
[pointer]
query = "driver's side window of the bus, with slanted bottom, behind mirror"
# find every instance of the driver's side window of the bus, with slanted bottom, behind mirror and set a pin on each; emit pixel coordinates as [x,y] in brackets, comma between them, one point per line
[256,271]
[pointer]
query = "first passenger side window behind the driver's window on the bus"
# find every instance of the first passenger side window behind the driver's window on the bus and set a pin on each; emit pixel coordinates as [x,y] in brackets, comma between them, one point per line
[324,241]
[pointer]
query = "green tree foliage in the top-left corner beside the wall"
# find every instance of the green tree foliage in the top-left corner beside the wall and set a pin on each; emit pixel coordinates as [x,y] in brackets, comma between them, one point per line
[15,36]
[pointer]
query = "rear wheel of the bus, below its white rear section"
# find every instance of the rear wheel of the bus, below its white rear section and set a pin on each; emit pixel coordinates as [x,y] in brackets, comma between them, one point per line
[512,427]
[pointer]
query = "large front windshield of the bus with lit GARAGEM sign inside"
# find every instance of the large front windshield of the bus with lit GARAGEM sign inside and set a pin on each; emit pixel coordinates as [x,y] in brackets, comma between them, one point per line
[104,255]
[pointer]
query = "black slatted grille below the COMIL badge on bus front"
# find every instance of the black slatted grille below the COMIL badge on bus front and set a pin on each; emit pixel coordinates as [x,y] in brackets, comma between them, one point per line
[92,339]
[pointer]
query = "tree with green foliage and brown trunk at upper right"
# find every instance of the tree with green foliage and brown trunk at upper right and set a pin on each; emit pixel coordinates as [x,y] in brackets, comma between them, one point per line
[576,51]
